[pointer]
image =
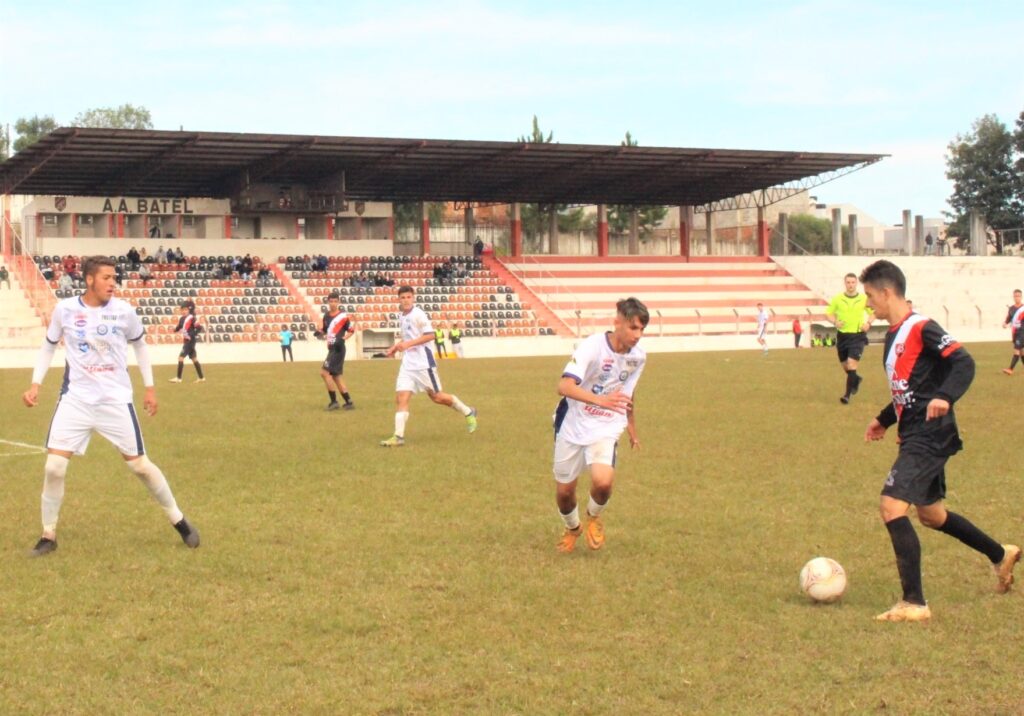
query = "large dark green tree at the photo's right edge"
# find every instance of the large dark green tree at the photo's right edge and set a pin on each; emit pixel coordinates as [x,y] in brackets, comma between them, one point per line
[987,179]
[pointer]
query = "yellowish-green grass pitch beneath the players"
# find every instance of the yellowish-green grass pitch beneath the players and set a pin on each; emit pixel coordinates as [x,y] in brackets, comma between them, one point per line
[337,577]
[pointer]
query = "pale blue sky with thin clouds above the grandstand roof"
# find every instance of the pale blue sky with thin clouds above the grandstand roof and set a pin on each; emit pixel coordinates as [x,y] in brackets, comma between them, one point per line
[897,78]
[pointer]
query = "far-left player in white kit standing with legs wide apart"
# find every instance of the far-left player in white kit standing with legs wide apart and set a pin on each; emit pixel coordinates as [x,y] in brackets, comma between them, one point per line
[97,395]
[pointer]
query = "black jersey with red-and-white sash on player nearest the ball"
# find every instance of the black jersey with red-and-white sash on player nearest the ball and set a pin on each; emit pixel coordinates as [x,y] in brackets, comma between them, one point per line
[923,362]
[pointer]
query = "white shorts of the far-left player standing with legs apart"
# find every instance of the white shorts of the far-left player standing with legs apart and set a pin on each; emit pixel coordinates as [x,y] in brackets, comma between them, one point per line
[74,423]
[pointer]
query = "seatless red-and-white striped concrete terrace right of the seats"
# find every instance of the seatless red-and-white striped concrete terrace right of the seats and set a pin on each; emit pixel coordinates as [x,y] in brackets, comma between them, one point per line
[704,298]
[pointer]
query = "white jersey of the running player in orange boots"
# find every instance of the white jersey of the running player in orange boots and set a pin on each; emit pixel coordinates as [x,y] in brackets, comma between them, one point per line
[598,368]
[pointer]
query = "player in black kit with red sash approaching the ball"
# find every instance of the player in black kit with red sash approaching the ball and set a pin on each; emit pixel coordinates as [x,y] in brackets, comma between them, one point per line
[928,372]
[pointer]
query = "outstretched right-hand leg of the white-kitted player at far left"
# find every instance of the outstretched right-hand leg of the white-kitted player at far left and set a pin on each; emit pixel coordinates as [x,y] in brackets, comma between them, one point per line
[119,425]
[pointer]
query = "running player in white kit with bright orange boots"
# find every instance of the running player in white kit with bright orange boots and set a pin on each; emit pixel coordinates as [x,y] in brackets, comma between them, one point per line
[598,389]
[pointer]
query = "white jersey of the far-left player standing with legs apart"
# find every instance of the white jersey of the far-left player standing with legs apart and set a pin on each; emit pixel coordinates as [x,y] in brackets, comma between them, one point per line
[97,349]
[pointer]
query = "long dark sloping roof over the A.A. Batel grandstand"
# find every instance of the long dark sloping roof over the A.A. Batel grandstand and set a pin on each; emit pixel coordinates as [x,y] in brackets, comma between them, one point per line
[119,162]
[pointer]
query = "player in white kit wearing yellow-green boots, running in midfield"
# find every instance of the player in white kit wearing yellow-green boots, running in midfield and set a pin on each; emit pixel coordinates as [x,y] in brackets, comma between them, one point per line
[419,371]
